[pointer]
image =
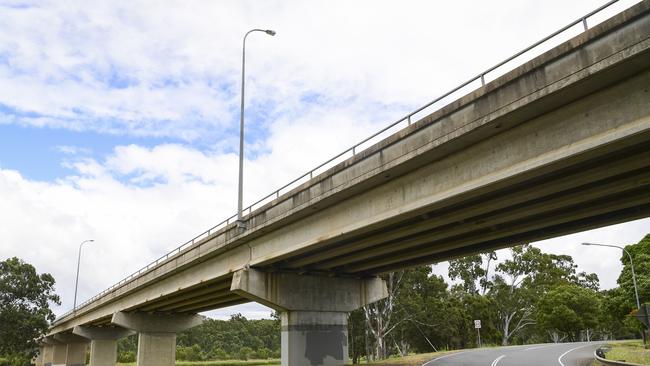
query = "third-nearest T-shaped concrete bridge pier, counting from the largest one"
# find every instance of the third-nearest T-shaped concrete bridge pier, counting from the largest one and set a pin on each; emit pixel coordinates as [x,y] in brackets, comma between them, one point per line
[103,343]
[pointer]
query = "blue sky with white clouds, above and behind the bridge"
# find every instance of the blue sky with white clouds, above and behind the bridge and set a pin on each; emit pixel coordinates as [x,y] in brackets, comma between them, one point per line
[119,121]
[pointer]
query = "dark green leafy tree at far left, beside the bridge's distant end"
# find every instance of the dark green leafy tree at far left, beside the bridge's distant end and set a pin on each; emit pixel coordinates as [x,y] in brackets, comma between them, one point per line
[25,298]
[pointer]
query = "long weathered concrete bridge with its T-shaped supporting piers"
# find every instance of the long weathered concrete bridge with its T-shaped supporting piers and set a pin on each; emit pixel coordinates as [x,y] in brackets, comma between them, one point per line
[558,145]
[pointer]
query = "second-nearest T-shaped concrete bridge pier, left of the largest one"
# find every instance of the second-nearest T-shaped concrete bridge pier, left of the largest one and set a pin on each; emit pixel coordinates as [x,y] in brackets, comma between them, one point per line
[156,334]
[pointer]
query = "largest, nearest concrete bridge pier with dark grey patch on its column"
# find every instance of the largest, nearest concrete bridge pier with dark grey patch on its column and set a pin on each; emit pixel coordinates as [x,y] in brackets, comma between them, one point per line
[313,311]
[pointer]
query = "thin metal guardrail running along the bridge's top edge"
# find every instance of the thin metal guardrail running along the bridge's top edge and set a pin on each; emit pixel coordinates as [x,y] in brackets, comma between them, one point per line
[350,152]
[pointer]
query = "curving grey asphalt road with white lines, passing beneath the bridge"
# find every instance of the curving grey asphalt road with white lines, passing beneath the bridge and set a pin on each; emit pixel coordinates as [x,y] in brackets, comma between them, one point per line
[557,354]
